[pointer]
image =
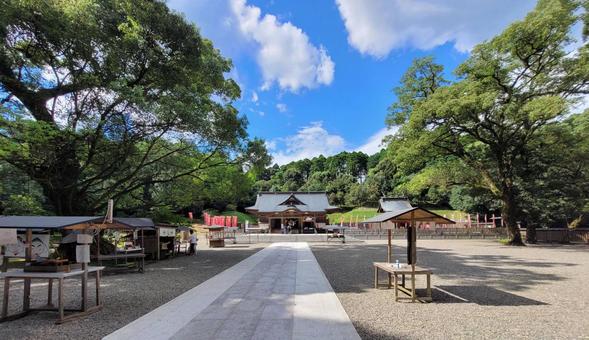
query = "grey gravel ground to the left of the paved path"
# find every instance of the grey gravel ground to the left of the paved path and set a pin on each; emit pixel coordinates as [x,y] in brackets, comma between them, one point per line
[126,296]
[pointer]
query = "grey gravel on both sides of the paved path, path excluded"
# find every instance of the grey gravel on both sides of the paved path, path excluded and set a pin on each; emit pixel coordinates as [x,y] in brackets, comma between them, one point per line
[482,290]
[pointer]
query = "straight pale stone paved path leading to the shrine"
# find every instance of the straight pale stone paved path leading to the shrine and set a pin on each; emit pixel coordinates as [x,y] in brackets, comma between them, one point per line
[278,293]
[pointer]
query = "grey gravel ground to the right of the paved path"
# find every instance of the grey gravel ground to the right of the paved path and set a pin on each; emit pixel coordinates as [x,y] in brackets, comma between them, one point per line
[482,290]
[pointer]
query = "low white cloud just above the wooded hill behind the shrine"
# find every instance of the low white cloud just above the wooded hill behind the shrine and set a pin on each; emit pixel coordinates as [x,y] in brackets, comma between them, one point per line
[309,141]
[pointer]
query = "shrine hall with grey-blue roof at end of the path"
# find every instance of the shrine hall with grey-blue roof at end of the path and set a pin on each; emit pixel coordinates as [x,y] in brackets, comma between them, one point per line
[292,212]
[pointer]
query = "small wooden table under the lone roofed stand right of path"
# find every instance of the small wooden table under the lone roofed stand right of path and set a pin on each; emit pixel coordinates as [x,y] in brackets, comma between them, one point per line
[394,272]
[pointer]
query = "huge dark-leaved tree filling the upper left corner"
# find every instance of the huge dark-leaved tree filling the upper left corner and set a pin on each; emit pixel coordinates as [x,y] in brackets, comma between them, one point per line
[99,95]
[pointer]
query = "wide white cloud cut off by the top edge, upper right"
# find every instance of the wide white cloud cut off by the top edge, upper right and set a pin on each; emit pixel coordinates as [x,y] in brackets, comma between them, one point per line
[376,27]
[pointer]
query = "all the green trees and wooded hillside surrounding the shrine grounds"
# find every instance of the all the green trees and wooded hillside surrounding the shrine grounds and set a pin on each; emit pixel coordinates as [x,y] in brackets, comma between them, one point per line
[126,100]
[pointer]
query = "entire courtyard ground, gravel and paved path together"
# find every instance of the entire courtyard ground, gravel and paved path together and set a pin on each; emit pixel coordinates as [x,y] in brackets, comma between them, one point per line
[481,289]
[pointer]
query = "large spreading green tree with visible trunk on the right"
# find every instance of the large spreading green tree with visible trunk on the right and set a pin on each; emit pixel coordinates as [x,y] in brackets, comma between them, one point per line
[508,89]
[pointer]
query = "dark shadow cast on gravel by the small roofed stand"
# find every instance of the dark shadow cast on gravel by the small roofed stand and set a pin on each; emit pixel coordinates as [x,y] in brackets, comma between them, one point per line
[481,295]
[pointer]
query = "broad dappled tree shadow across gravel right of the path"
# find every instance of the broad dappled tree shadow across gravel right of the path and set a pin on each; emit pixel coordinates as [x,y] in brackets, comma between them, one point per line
[349,268]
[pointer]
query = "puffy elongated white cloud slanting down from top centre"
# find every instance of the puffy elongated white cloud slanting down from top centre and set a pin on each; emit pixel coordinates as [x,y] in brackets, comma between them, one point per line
[285,54]
